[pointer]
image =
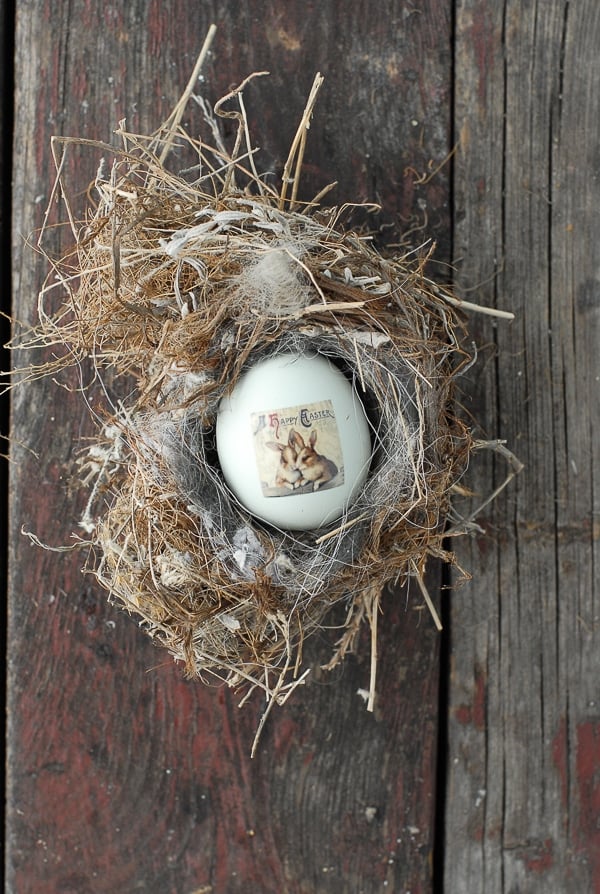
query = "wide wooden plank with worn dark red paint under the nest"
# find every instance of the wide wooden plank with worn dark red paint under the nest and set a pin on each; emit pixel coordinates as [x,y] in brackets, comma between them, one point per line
[122,776]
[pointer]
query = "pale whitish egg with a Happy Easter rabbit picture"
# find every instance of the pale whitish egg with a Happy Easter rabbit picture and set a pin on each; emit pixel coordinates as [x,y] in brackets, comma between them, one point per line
[293,441]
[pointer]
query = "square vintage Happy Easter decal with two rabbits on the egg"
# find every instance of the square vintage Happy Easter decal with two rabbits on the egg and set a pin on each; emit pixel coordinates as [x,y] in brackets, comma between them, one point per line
[298,449]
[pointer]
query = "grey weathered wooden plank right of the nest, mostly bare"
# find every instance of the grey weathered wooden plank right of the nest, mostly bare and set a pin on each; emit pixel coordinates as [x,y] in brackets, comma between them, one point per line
[524,727]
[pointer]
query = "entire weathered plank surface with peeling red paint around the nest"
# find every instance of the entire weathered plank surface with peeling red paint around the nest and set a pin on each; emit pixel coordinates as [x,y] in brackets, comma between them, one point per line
[124,777]
